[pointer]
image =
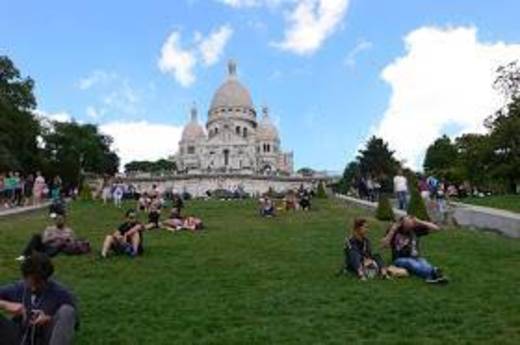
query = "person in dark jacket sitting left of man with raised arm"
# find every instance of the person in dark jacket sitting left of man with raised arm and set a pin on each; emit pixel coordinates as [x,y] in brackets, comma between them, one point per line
[359,258]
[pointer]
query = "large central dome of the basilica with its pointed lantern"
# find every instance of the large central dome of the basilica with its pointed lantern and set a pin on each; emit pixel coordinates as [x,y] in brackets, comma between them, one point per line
[232,93]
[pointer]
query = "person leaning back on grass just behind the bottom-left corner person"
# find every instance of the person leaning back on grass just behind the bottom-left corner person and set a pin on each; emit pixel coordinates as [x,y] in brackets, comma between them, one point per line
[58,238]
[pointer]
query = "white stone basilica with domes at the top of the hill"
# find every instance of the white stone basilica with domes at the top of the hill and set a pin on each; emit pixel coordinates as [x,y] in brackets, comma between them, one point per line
[233,142]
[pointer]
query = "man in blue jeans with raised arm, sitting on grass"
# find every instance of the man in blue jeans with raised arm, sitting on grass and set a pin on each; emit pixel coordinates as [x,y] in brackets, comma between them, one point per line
[403,238]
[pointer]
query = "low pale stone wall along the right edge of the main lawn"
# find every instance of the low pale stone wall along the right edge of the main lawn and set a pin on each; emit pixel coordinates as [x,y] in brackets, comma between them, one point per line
[478,217]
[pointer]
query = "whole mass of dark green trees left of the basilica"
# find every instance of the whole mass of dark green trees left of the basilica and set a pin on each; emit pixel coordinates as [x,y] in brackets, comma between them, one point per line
[29,143]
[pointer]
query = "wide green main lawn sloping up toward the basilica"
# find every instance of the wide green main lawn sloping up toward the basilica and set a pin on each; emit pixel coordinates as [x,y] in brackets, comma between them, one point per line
[248,280]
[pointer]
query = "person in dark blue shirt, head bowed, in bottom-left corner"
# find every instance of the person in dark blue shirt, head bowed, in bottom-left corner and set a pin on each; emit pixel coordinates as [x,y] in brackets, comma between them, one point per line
[43,312]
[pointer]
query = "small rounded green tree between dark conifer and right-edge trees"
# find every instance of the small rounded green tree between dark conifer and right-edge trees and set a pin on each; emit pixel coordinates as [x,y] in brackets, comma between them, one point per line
[441,158]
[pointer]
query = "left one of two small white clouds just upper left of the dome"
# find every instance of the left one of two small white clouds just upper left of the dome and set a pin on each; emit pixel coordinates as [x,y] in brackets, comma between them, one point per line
[177,61]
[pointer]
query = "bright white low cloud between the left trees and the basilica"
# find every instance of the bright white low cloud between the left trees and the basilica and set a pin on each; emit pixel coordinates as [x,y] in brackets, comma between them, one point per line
[142,140]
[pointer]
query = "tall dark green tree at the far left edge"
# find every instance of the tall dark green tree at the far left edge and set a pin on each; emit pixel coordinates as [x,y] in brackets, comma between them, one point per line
[19,127]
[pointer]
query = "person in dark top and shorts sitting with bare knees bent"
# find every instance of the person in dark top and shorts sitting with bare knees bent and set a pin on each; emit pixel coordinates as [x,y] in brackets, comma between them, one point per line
[127,239]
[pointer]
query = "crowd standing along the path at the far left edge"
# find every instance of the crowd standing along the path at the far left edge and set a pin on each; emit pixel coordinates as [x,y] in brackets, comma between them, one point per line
[25,190]
